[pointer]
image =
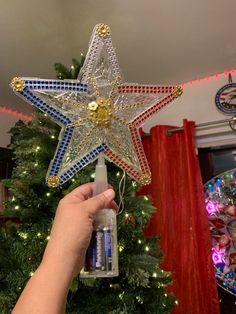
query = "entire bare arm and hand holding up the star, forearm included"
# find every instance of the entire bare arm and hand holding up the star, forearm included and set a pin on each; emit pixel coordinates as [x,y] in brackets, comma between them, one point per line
[64,256]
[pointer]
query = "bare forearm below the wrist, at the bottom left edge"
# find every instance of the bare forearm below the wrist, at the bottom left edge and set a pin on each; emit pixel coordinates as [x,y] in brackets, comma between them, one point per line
[46,291]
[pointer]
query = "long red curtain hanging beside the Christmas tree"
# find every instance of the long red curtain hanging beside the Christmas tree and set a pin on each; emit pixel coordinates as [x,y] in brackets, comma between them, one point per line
[181,218]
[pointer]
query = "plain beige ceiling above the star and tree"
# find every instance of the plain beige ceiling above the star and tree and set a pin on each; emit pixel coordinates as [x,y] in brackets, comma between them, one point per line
[157,41]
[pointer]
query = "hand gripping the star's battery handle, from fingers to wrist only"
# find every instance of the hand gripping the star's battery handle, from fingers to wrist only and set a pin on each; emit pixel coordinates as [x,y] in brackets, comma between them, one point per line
[73,226]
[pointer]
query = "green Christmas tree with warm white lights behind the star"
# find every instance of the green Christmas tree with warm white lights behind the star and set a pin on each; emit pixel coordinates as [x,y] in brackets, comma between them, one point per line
[29,211]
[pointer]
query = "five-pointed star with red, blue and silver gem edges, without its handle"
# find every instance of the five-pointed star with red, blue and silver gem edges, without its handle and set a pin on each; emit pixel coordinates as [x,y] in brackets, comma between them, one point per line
[99,113]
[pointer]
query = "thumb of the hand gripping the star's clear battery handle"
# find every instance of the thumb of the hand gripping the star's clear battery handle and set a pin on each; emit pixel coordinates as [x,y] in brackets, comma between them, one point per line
[100,201]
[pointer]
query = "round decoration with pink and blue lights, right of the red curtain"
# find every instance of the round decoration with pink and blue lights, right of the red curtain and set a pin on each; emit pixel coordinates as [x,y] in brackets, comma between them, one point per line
[220,195]
